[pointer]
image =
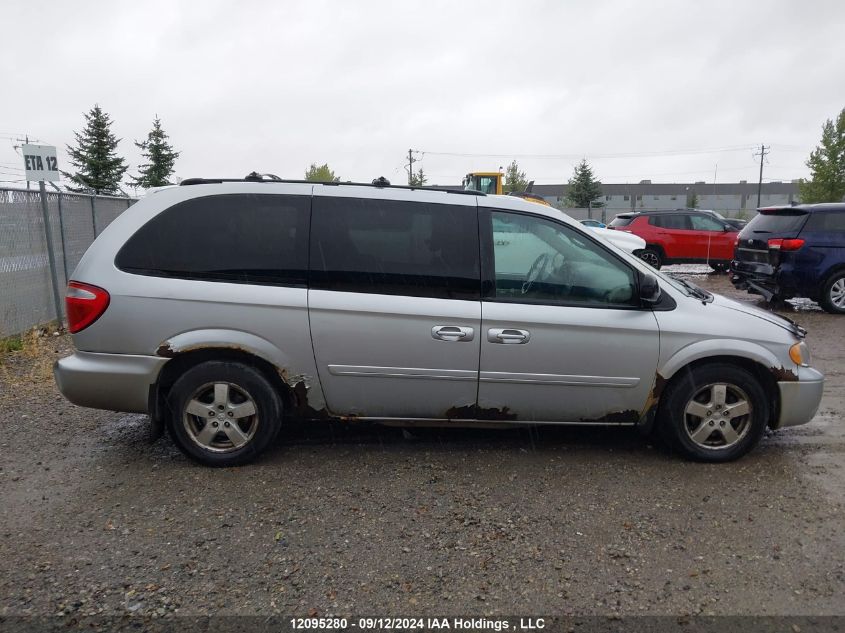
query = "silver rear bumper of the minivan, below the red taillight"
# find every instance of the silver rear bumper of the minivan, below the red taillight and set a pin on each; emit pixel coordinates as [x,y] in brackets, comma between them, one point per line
[117,382]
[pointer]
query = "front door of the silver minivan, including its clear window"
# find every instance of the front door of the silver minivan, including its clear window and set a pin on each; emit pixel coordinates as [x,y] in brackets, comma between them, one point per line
[563,337]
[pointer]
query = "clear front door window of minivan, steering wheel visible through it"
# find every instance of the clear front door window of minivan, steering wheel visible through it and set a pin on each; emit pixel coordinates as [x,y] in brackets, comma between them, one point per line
[536,260]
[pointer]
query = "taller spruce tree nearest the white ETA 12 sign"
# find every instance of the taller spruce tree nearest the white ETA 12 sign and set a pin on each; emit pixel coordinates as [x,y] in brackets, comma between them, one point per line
[98,167]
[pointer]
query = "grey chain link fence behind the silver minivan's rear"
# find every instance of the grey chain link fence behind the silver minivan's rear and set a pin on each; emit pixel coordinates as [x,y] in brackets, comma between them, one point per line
[27,296]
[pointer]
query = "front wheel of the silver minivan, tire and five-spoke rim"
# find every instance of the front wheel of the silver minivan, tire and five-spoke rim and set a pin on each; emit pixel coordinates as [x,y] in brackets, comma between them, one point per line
[677,427]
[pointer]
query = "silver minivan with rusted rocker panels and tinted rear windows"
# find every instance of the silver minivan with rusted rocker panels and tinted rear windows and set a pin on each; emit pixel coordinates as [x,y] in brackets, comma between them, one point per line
[224,307]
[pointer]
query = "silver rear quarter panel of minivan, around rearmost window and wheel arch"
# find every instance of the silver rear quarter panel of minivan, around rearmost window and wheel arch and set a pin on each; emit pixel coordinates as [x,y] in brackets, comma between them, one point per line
[157,316]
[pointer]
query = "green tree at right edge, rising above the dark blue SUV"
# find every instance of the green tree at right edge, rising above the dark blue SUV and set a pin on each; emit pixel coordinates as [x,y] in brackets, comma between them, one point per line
[827,165]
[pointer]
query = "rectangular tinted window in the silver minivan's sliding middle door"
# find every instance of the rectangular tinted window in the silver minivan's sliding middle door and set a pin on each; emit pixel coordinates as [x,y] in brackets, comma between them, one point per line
[394,247]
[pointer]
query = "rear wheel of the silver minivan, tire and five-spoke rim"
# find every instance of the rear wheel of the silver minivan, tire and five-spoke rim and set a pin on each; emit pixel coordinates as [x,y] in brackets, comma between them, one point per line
[244,385]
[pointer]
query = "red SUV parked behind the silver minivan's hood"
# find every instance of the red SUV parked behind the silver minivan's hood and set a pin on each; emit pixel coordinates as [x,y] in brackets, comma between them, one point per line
[681,237]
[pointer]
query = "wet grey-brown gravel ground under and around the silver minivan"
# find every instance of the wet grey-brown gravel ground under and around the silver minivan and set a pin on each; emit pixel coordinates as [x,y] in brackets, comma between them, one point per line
[370,520]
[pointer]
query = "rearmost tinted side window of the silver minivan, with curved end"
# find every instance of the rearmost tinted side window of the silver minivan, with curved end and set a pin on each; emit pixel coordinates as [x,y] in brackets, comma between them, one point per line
[241,238]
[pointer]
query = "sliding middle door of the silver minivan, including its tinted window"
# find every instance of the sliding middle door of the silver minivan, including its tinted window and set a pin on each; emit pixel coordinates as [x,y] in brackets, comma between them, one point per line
[394,302]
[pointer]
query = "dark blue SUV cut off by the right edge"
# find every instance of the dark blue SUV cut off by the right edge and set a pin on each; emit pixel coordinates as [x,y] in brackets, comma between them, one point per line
[795,251]
